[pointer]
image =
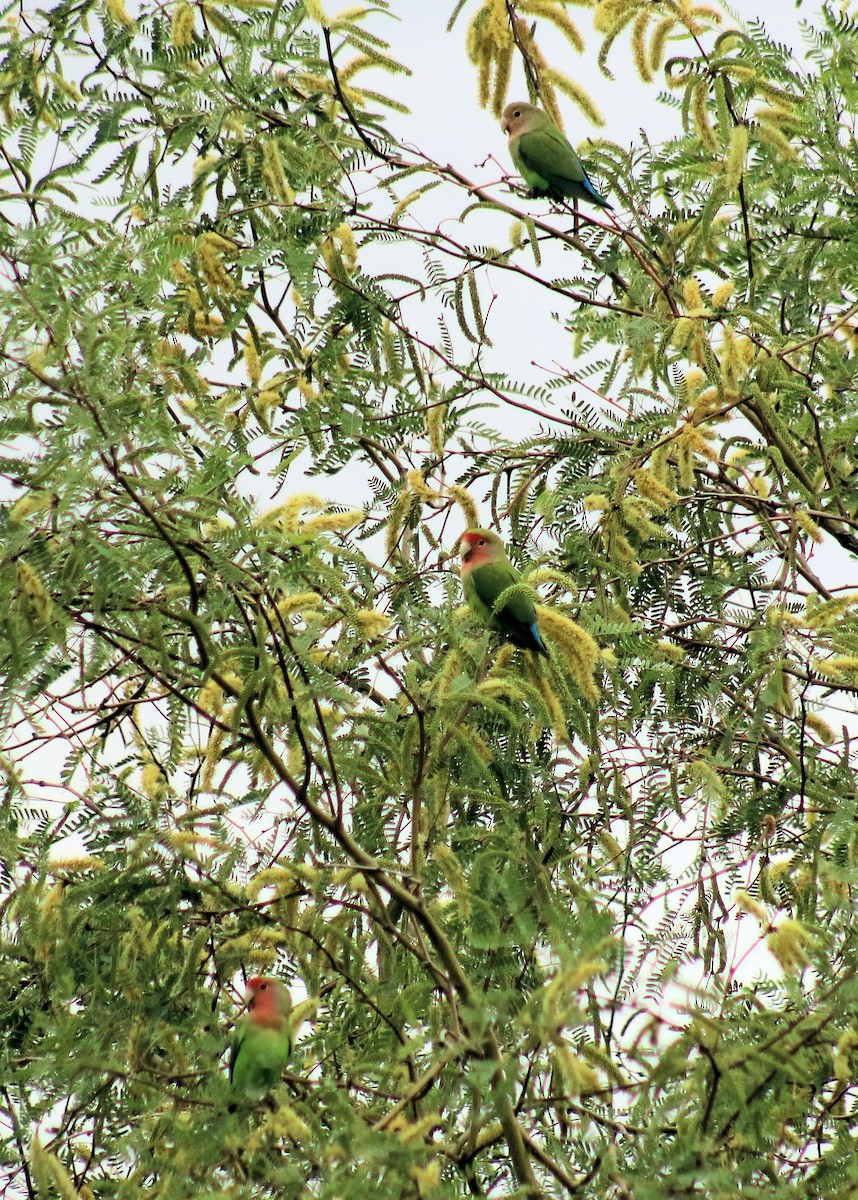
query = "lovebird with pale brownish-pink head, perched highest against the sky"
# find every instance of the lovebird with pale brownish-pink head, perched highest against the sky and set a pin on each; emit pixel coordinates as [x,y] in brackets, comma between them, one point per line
[544,158]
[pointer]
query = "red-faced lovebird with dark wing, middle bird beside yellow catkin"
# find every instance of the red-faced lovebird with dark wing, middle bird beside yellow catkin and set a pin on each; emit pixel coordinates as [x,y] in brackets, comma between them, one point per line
[487,572]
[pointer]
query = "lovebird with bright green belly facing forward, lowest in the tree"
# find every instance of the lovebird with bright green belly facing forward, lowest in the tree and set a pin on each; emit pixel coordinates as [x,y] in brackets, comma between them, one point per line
[262,1043]
